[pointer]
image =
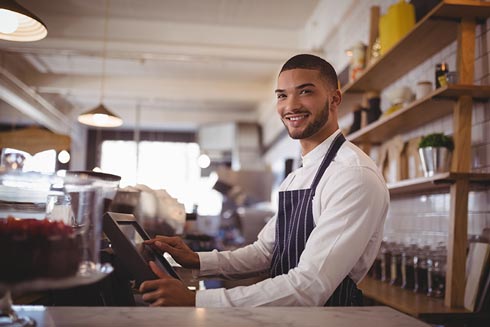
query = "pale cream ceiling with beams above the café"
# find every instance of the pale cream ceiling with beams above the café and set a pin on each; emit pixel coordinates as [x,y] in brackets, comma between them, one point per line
[163,64]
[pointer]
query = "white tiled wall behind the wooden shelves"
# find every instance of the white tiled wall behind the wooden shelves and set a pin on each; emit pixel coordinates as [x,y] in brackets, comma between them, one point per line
[424,218]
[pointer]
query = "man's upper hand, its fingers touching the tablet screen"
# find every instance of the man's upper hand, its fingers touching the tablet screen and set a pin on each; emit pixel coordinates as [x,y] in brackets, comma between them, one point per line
[177,249]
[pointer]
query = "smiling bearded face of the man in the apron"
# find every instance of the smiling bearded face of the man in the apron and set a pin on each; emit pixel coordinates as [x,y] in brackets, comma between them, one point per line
[302,102]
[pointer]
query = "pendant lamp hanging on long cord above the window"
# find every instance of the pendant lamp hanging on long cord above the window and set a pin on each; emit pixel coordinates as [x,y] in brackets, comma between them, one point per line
[100,116]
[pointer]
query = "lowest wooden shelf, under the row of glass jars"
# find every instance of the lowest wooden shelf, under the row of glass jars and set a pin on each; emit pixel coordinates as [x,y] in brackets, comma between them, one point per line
[414,304]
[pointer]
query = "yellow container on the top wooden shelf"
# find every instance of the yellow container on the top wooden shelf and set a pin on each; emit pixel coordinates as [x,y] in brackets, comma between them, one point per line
[398,21]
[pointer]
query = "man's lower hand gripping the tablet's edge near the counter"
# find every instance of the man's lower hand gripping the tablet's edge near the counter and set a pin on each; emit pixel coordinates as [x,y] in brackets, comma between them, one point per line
[166,291]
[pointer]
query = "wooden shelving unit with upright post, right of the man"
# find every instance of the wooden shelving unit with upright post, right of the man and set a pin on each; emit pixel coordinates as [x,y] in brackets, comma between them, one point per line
[449,21]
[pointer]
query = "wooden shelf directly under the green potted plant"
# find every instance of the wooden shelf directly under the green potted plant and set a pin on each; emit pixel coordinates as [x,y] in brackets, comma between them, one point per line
[436,182]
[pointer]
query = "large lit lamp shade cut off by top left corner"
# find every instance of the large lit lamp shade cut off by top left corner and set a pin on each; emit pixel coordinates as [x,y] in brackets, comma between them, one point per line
[19,24]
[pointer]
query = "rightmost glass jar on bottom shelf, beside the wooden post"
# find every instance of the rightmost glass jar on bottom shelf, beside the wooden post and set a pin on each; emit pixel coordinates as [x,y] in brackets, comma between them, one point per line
[436,274]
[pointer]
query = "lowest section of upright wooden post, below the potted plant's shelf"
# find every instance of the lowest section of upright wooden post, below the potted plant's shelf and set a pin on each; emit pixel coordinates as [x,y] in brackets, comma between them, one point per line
[457,242]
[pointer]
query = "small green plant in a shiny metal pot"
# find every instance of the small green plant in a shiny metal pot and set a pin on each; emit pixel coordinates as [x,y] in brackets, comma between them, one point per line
[435,153]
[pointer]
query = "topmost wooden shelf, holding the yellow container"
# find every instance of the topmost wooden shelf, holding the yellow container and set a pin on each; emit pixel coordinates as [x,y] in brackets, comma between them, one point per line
[430,35]
